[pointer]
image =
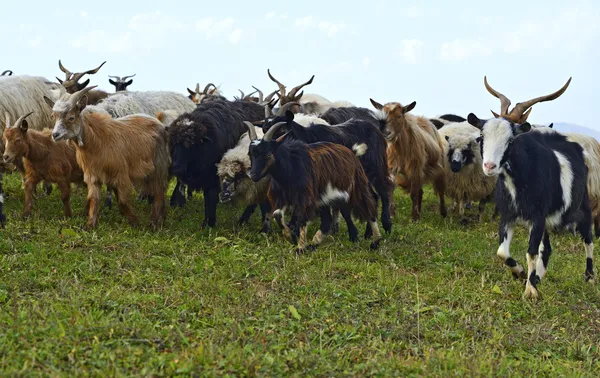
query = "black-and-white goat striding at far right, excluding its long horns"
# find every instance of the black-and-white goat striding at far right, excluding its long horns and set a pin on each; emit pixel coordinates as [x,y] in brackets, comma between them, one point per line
[542,180]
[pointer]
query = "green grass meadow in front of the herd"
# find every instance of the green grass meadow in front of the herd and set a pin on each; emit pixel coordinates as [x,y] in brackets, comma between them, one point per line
[433,301]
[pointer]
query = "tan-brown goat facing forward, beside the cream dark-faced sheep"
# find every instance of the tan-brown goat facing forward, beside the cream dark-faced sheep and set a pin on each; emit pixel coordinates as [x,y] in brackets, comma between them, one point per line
[415,153]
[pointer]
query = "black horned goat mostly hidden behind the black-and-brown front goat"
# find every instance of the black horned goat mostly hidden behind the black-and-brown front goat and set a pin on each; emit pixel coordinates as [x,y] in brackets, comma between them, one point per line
[349,133]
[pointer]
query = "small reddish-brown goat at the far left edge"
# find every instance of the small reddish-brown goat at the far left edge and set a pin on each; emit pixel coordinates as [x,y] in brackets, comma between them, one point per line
[43,160]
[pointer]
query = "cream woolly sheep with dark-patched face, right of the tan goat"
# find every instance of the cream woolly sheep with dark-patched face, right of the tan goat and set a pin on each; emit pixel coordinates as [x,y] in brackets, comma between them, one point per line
[465,180]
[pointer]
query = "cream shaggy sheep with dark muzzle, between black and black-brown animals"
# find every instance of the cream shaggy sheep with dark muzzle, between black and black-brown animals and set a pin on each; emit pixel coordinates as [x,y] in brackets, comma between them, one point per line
[237,186]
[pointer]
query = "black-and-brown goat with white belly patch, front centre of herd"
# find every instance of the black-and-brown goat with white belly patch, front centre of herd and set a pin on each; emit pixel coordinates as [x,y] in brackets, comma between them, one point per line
[311,179]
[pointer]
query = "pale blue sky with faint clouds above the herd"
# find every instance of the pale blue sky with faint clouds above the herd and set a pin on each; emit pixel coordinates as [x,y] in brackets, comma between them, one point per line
[433,52]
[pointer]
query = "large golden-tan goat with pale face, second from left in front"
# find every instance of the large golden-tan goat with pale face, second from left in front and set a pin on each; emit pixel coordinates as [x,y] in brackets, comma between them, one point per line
[106,156]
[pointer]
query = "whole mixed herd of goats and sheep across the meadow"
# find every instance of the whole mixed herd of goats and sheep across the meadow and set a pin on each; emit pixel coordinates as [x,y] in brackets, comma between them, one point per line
[299,157]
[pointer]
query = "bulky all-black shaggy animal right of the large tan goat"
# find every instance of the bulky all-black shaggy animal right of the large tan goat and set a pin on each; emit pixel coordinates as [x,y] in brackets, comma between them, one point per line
[198,141]
